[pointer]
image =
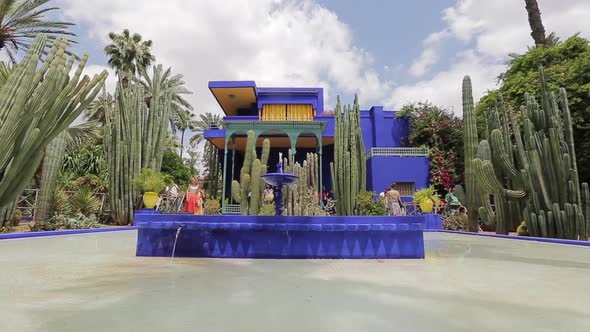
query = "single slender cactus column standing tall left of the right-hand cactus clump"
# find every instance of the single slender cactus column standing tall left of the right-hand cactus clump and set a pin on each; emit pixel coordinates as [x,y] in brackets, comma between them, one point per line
[470,143]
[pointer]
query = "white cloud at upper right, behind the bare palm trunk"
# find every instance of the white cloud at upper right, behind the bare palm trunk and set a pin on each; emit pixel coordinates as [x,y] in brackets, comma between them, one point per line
[489,31]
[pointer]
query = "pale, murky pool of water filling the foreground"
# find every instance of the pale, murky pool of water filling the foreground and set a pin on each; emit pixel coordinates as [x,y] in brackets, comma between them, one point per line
[94,282]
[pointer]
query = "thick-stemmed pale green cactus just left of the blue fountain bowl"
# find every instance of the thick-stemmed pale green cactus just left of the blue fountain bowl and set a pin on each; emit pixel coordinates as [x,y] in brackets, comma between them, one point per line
[248,192]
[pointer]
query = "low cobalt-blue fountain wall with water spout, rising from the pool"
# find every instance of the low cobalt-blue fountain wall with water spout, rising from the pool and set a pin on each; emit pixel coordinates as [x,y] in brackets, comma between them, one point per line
[226,236]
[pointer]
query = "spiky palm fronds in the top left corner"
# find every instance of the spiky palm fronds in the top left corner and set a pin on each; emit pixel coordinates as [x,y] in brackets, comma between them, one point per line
[22,20]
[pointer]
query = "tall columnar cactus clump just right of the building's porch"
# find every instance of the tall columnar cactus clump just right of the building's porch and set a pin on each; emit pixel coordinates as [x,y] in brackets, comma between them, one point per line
[349,175]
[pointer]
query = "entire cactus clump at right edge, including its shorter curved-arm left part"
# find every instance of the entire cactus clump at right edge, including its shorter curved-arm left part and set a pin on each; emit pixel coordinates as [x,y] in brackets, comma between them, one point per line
[539,165]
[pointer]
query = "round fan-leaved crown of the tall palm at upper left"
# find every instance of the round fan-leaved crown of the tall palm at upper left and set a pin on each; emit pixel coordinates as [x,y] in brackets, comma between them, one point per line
[128,53]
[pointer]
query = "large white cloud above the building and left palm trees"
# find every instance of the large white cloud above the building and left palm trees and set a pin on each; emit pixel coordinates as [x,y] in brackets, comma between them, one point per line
[274,42]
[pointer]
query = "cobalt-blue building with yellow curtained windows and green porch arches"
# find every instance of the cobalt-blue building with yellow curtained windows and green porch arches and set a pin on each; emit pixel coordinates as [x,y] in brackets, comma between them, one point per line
[295,118]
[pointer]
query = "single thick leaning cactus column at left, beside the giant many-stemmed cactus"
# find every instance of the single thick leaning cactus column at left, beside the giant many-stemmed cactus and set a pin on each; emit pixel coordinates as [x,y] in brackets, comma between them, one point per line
[52,163]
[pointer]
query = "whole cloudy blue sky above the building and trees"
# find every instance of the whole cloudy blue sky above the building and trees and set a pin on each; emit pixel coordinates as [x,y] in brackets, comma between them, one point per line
[389,52]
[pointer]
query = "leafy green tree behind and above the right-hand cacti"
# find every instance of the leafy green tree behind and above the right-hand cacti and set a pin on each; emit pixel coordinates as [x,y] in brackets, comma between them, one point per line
[566,65]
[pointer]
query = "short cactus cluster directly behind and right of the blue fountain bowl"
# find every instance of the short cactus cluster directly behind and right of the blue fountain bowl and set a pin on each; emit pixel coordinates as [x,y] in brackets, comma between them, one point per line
[301,198]
